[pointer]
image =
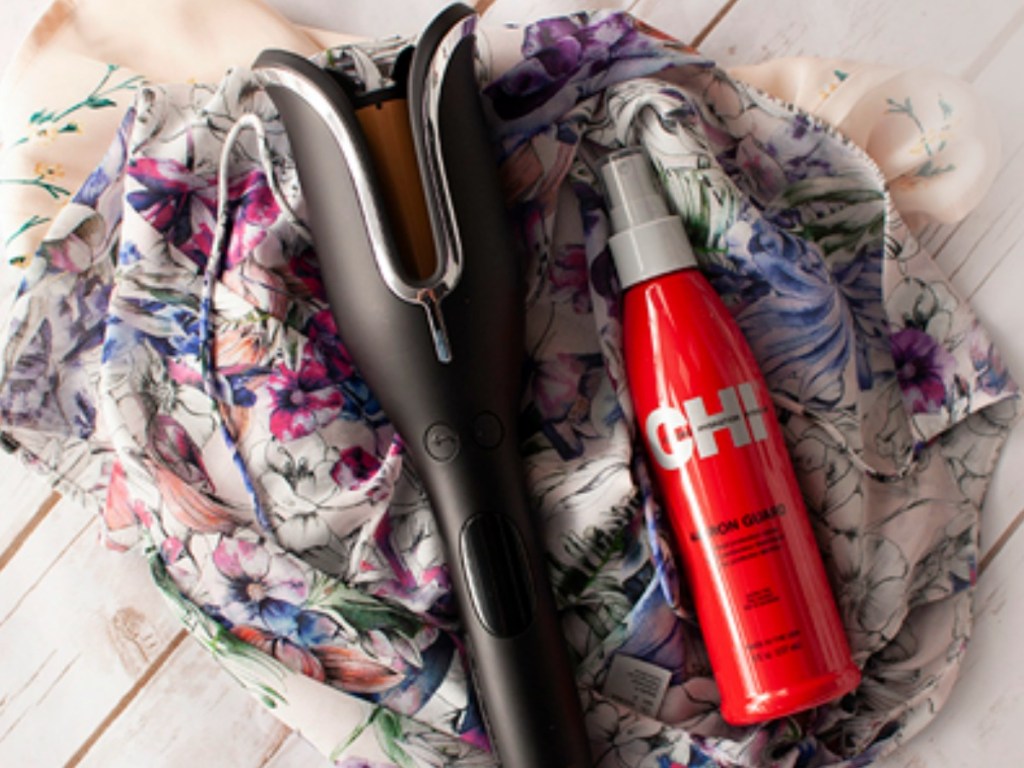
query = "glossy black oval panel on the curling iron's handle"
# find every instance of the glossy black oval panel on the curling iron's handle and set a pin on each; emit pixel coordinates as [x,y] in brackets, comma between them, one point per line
[494,561]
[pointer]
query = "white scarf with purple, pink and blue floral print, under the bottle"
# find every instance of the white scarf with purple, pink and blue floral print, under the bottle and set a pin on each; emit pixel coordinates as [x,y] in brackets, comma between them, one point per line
[330,601]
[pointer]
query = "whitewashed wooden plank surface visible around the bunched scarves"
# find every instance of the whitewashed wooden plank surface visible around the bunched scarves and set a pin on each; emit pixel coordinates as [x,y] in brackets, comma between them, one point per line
[98,653]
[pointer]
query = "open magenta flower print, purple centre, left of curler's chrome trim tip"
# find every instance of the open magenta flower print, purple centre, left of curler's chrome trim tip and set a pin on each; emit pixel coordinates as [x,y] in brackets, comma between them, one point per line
[305,400]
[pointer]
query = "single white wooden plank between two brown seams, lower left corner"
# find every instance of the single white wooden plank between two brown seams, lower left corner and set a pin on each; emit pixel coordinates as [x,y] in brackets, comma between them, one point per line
[79,628]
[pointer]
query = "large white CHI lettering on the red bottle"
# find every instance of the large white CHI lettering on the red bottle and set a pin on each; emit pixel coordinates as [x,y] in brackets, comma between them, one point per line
[673,436]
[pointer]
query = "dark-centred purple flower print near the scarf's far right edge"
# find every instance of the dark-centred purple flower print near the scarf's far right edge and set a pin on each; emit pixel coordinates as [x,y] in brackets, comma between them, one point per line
[924,368]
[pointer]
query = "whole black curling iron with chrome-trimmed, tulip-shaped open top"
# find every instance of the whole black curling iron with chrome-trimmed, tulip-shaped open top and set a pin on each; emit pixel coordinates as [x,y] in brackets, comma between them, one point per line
[404,203]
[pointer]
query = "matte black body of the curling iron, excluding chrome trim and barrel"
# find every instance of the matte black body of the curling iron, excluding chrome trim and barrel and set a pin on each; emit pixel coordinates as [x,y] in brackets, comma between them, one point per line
[458,418]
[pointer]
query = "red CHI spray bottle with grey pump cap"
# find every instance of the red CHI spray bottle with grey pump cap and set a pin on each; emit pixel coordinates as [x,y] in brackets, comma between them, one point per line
[771,624]
